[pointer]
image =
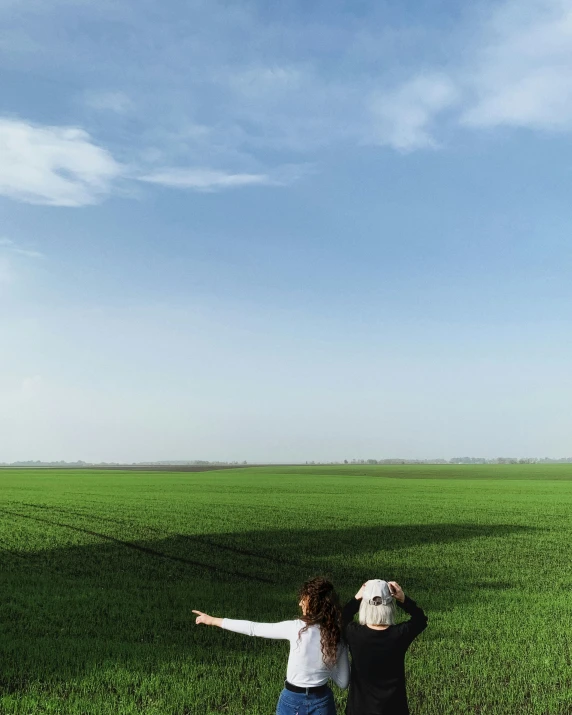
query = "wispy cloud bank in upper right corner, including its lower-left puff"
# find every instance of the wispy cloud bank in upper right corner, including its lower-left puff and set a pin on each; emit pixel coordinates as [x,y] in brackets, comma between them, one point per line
[516,72]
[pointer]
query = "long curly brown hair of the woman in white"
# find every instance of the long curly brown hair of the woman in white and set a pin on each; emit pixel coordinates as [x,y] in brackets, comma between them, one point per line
[323,609]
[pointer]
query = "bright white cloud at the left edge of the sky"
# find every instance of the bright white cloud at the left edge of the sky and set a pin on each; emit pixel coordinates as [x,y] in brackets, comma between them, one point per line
[57,166]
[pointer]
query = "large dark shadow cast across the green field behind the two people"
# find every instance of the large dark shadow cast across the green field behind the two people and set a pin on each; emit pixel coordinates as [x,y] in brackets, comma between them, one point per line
[126,598]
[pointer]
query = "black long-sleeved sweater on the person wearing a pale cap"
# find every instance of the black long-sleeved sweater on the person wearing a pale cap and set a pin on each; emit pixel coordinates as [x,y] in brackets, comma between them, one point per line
[377,680]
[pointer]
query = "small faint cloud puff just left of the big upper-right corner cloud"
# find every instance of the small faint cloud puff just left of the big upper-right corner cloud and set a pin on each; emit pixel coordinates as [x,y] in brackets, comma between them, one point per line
[402,118]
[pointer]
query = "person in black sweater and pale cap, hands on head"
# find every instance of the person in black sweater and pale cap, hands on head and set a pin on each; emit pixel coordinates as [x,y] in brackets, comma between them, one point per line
[378,646]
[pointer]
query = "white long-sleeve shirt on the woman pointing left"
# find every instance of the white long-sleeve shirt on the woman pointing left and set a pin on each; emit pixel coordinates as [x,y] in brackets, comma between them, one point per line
[306,667]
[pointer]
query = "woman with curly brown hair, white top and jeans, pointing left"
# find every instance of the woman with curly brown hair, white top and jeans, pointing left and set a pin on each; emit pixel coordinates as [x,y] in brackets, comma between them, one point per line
[316,649]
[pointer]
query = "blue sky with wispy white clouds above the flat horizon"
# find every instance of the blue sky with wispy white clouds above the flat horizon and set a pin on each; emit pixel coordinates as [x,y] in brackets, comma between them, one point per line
[295,231]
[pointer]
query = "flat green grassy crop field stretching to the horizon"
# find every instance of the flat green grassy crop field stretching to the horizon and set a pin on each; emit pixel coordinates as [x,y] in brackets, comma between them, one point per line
[100,571]
